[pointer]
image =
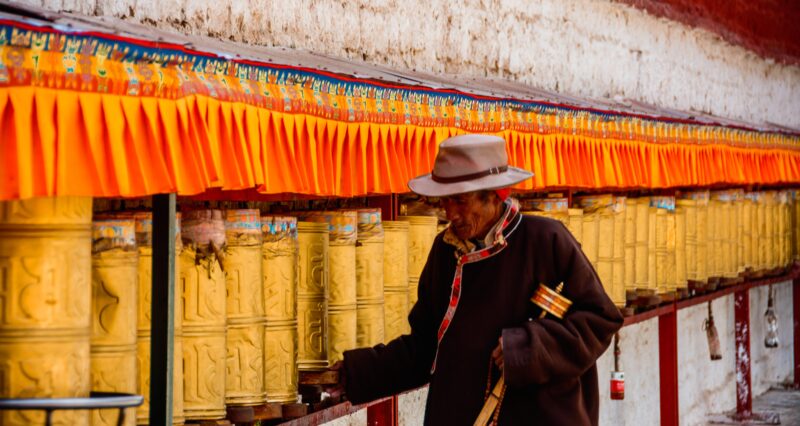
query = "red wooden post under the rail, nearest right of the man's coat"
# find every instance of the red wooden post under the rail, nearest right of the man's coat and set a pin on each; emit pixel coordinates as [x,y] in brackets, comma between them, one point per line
[668,366]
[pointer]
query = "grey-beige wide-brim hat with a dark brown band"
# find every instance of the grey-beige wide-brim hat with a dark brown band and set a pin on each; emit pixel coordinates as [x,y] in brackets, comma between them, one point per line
[469,163]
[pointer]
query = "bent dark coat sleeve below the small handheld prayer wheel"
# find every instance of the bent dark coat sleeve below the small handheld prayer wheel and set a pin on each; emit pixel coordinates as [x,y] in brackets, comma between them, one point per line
[551,349]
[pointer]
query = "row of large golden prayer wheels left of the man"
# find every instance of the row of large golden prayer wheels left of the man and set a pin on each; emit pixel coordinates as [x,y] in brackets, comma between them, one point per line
[257,299]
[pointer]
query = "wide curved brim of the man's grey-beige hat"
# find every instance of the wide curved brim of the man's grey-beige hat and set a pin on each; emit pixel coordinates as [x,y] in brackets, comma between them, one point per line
[425,185]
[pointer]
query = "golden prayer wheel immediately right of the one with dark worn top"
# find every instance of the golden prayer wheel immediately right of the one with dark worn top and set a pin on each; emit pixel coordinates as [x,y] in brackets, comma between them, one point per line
[244,380]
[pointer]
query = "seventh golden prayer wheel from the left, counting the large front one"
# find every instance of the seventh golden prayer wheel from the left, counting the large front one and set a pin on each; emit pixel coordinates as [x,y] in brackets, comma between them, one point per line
[312,296]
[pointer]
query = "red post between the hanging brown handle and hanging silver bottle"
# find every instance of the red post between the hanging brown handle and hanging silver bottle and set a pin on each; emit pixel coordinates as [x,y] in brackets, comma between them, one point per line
[744,396]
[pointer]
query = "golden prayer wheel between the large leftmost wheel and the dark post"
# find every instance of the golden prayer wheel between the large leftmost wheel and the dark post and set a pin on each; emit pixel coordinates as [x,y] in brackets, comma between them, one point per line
[115,264]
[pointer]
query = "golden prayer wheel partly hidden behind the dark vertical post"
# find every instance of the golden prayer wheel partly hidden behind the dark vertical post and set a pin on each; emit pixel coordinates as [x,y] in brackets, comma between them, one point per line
[144,239]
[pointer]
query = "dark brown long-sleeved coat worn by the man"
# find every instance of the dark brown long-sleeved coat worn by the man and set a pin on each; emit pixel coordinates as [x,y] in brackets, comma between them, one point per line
[549,363]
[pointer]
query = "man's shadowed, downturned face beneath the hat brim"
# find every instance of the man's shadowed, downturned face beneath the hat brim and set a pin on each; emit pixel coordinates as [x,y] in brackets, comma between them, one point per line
[469,215]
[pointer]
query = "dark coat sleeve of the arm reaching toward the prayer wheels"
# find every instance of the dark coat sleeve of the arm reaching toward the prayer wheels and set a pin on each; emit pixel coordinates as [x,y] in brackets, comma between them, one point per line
[405,362]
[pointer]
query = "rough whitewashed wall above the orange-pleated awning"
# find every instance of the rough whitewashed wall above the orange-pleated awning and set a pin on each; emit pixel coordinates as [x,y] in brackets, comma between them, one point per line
[588,48]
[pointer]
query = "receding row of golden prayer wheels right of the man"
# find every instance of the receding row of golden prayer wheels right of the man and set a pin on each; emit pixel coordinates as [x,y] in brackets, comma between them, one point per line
[662,244]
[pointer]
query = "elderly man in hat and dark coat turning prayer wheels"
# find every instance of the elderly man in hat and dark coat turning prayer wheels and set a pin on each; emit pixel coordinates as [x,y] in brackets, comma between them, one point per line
[475,320]
